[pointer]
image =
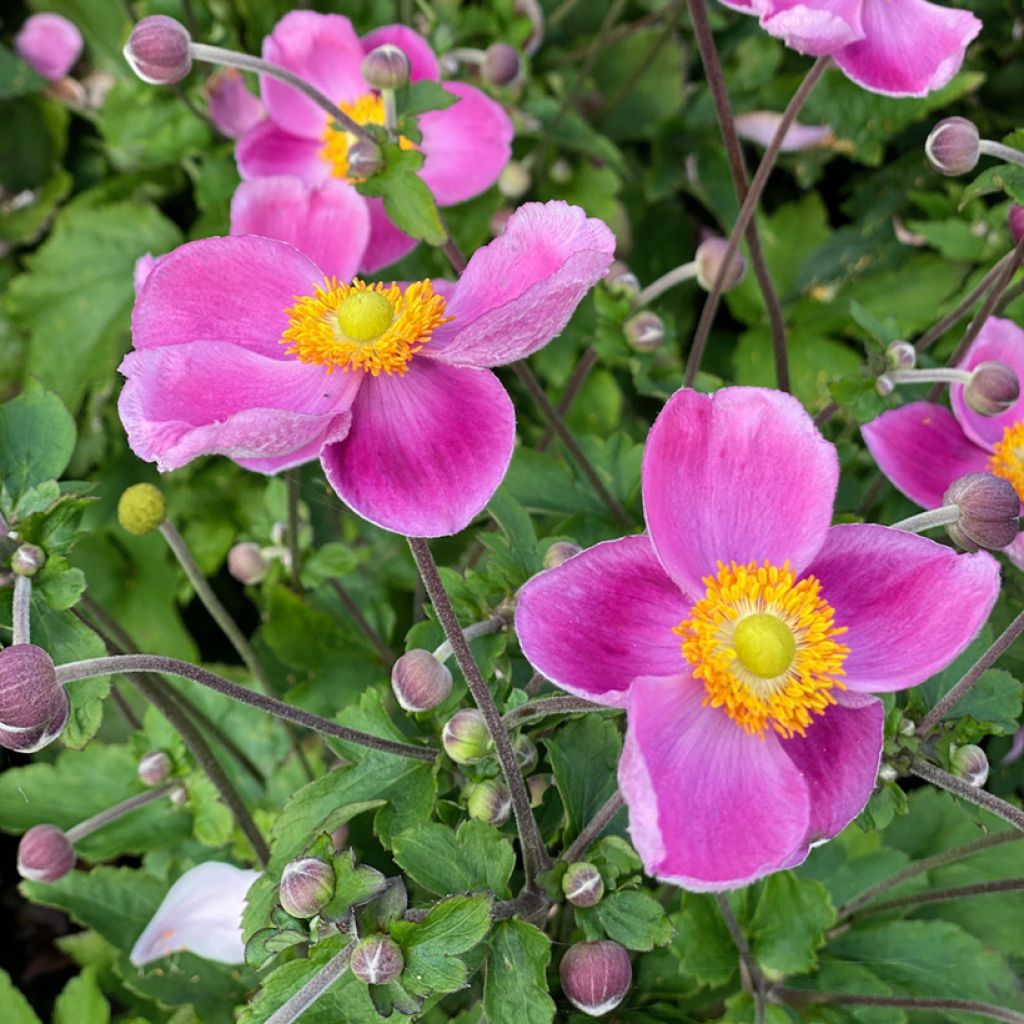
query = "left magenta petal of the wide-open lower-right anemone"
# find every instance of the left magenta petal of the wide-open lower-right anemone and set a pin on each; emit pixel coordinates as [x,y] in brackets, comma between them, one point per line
[601,620]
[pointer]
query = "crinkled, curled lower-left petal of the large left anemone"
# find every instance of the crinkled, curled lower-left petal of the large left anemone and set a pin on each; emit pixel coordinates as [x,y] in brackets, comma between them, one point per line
[208,398]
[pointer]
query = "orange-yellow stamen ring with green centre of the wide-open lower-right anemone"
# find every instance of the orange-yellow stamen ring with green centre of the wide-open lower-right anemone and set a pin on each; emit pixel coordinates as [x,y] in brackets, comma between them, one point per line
[764,647]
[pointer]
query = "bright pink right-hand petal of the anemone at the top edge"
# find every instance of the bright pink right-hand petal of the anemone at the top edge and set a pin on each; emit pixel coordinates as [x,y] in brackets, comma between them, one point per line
[910,49]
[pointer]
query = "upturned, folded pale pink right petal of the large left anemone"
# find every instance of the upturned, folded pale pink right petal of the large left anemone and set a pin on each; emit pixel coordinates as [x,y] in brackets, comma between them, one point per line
[521,290]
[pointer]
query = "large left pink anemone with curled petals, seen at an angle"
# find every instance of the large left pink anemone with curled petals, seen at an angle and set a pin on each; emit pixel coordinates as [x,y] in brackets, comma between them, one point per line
[245,348]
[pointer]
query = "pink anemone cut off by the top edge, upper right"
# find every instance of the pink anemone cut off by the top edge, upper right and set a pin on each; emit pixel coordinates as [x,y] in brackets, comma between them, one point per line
[897,48]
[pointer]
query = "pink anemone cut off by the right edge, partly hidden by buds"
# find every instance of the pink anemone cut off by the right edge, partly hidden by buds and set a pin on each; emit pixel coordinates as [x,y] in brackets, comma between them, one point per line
[923,448]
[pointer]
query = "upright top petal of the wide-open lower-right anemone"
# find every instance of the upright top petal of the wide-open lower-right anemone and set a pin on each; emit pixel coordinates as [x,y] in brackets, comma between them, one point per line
[742,476]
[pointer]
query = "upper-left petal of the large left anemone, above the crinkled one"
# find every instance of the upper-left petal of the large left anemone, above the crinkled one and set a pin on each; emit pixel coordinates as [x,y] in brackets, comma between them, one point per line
[234,289]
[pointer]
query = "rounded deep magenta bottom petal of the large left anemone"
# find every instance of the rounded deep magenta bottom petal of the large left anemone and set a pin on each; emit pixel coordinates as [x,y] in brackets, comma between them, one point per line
[426,451]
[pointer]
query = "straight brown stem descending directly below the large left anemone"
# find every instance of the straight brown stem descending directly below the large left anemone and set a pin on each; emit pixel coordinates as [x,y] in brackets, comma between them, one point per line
[535,857]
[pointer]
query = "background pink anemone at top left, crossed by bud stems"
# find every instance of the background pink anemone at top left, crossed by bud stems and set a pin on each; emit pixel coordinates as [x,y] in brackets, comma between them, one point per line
[466,146]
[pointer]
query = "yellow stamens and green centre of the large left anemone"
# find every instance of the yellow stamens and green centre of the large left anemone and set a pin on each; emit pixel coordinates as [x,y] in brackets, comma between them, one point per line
[375,328]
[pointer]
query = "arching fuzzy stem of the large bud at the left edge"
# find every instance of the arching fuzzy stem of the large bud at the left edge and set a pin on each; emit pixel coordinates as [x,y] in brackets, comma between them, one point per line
[129,664]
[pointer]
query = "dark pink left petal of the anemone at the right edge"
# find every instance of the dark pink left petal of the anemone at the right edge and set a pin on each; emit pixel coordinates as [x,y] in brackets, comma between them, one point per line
[922,449]
